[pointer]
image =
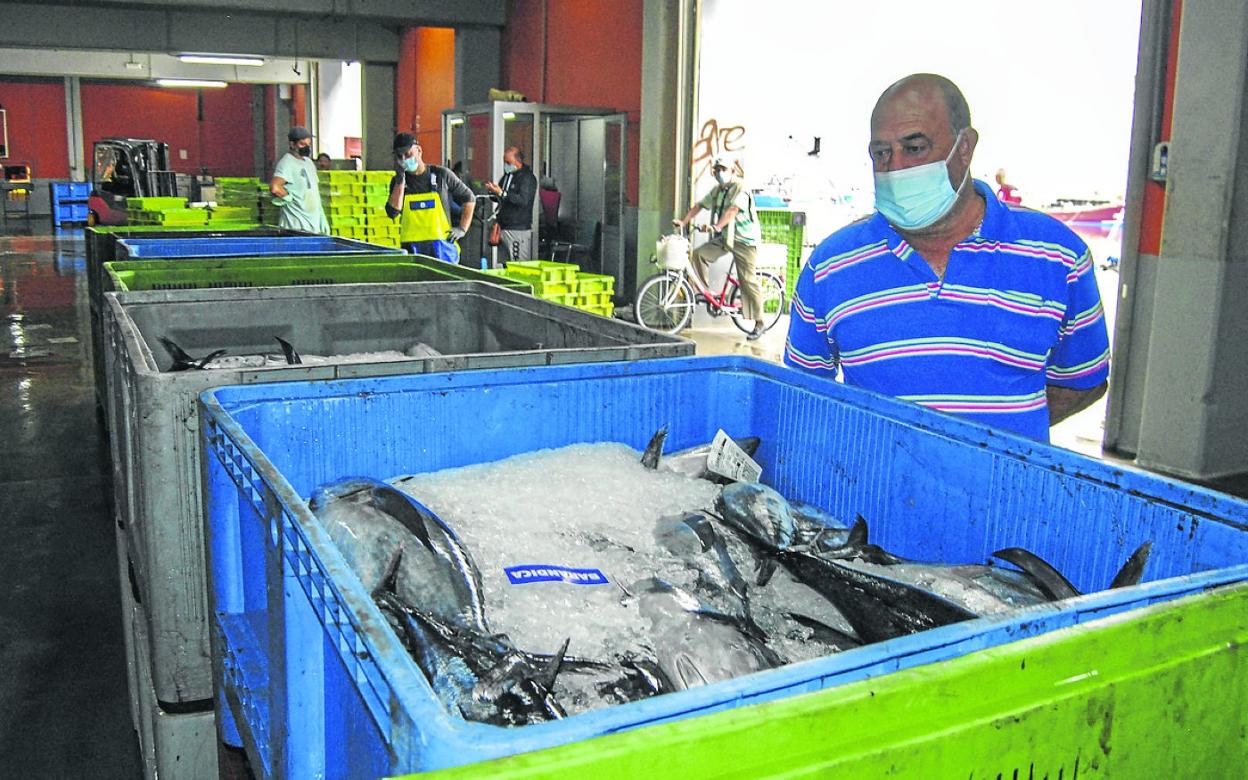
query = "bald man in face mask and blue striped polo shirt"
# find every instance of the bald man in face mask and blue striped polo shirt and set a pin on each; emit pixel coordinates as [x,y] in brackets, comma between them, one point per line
[947,296]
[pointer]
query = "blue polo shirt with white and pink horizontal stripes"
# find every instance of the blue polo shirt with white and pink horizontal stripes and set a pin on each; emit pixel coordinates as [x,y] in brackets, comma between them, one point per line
[1019,309]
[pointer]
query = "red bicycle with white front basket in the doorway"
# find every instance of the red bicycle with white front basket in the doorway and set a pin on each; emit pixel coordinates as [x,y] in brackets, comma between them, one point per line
[666,301]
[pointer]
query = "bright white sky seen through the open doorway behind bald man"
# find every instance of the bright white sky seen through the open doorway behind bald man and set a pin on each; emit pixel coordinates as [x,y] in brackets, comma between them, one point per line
[1050,85]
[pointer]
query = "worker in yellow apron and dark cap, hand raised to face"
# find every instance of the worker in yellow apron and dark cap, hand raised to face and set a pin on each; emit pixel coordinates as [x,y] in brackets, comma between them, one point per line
[421,198]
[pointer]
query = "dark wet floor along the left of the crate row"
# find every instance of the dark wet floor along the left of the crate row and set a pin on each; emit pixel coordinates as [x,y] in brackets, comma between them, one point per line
[64,703]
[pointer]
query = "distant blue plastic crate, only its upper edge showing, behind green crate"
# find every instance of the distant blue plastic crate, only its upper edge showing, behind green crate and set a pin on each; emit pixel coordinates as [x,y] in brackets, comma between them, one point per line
[243,246]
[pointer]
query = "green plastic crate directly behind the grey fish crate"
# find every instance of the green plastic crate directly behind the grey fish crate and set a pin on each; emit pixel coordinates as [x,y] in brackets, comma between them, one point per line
[127,276]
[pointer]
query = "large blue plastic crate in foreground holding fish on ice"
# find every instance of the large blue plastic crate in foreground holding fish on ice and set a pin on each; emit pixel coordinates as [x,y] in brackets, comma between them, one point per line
[313,685]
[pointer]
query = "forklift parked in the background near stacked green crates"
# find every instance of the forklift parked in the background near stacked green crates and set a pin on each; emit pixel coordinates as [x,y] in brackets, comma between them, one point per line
[128,168]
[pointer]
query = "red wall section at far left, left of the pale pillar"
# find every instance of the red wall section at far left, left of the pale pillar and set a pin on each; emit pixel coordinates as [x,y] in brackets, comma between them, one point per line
[37,127]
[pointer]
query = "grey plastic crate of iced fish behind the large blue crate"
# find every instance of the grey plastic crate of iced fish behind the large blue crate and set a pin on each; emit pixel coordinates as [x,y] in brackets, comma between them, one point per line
[154,420]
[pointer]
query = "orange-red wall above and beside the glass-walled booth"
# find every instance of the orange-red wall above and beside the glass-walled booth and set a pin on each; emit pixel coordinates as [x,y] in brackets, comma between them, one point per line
[593,59]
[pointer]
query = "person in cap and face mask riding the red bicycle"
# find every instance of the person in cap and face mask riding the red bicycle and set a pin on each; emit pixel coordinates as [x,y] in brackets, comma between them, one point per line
[734,229]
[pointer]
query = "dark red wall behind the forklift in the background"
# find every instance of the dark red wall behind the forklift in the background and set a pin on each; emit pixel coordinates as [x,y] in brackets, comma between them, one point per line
[220,142]
